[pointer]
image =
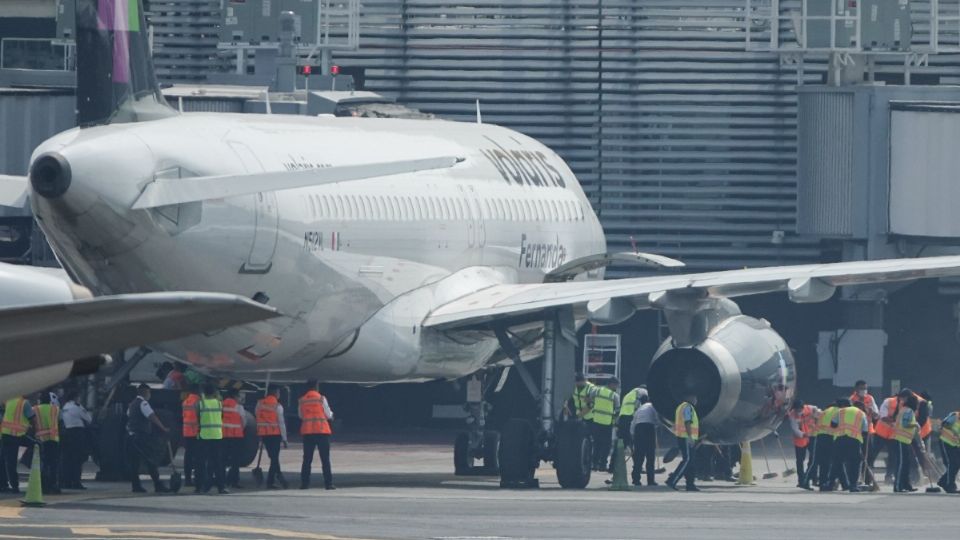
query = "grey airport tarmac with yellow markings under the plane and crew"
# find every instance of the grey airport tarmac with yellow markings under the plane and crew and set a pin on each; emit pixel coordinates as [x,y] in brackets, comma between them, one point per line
[406,491]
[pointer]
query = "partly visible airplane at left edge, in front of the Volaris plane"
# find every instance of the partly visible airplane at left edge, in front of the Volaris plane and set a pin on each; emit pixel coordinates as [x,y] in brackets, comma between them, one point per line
[52,328]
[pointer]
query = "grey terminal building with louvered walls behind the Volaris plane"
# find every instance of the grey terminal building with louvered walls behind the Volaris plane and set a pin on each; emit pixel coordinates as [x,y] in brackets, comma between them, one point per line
[724,133]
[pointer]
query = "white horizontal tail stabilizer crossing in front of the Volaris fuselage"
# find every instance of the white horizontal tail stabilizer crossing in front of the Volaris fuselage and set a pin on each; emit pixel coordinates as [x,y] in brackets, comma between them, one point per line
[162,192]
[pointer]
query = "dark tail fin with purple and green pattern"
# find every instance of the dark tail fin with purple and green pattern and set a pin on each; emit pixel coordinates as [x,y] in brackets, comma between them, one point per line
[115,79]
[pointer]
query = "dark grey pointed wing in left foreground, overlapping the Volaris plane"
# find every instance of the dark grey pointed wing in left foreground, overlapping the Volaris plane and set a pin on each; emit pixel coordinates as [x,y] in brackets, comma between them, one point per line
[42,335]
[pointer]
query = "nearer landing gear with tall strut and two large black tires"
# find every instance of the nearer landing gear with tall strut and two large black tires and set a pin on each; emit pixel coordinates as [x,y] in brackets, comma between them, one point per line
[566,443]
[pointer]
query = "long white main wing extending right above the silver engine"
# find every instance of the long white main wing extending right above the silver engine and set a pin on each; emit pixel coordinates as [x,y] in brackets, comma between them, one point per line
[805,283]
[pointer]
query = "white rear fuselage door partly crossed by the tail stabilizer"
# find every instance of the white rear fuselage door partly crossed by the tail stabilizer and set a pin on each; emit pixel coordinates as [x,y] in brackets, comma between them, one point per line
[266,218]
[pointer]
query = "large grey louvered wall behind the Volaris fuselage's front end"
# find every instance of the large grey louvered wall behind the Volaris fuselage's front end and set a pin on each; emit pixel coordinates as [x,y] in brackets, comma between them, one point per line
[684,141]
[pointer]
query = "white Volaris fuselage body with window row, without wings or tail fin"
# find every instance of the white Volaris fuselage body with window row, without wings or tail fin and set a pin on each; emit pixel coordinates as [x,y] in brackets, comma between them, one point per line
[354,266]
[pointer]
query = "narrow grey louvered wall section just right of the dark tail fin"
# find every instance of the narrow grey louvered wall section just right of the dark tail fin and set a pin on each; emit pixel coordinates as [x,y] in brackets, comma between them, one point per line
[185,38]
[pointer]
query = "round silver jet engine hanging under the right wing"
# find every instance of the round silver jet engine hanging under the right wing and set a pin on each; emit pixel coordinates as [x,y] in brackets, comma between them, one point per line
[743,375]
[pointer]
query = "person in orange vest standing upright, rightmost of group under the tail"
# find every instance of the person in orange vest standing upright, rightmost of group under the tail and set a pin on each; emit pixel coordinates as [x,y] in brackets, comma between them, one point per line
[315,418]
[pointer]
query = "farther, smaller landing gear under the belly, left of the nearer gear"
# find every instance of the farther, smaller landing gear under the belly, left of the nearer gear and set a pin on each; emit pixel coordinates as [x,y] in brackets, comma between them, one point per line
[476,443]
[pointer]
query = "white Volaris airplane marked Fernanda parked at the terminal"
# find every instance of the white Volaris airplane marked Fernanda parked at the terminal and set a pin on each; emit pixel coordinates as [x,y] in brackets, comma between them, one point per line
[397,250]
